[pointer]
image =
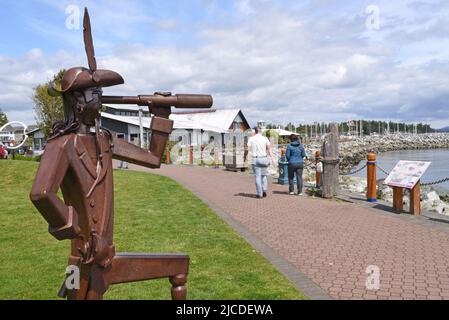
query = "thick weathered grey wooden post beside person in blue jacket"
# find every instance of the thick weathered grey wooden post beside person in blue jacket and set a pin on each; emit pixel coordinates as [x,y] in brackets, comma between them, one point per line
[330,161]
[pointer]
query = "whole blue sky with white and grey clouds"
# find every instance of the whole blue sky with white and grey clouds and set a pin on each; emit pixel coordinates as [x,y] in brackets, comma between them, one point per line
[280,61]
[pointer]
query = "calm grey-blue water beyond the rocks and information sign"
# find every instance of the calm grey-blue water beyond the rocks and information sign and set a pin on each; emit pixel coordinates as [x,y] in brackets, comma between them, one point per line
[439,168]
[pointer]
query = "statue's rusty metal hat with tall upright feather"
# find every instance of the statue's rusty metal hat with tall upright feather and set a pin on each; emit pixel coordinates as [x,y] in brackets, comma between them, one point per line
[79,78]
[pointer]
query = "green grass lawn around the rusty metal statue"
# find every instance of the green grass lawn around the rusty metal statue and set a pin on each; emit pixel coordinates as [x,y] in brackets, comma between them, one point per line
[152,214]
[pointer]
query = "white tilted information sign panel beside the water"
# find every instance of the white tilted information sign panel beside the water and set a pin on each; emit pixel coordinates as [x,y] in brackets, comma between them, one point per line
[407,173]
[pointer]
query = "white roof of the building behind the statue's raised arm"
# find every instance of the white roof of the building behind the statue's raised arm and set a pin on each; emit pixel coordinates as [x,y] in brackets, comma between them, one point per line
[214,120]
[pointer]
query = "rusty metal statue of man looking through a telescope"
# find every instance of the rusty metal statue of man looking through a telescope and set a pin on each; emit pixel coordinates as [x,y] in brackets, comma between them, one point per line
[78,159]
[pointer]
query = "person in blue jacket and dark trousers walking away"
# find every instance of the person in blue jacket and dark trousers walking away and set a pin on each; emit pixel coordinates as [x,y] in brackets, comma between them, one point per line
[295,156]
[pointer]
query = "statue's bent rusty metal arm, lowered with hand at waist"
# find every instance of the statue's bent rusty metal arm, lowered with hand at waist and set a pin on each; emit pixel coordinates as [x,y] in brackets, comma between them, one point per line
[62,219]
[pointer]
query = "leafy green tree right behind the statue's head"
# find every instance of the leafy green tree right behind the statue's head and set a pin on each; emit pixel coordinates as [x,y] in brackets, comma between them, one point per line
[48,109]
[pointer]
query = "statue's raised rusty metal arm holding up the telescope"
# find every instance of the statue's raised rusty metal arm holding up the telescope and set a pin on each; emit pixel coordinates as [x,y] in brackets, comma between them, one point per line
[125,151]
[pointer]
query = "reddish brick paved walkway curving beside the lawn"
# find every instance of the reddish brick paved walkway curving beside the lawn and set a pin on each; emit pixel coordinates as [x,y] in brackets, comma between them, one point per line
[332,242]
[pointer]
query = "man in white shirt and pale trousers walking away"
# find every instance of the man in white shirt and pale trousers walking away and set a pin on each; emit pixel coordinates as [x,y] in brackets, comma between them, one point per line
[259,147]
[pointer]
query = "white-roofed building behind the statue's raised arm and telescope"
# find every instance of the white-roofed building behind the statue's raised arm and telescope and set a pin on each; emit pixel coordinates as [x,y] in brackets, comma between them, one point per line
[215,128]
